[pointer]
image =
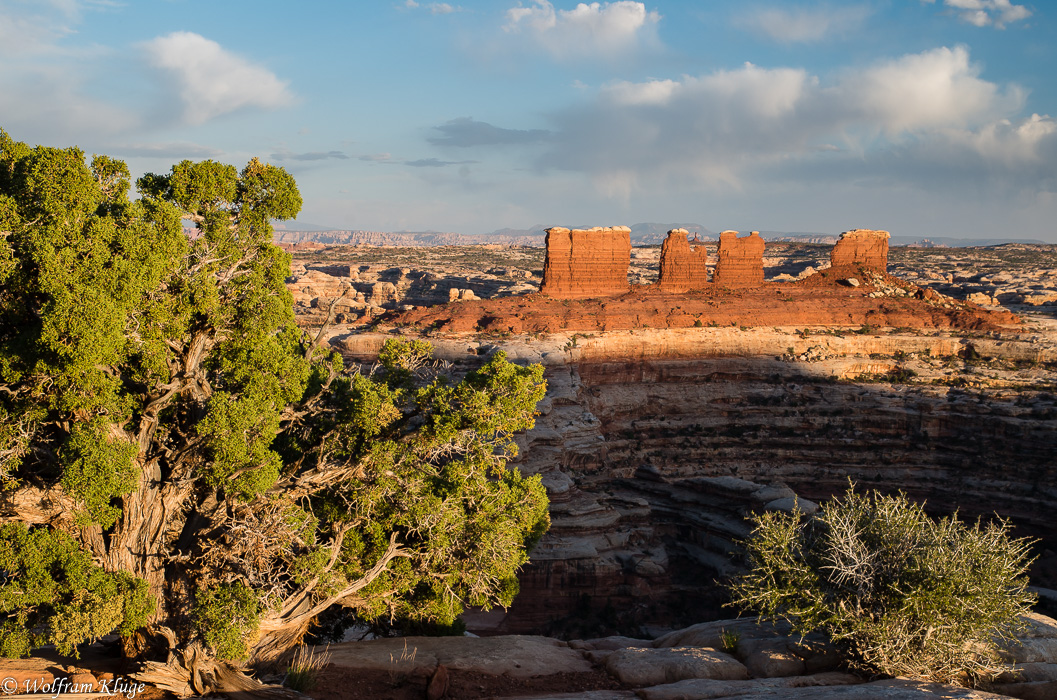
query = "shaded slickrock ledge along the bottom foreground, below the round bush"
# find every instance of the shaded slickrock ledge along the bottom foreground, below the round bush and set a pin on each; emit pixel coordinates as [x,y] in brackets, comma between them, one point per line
[710,660]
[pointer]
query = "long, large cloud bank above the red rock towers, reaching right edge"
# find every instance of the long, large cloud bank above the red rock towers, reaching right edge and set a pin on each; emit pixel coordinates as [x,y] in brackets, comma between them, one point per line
[719,127]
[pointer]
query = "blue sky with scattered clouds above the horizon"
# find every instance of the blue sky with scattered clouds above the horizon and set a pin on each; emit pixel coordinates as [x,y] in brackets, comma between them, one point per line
[923,118]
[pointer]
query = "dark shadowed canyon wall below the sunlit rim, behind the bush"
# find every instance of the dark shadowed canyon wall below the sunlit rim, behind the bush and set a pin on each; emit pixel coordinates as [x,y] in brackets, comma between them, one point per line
[655,467]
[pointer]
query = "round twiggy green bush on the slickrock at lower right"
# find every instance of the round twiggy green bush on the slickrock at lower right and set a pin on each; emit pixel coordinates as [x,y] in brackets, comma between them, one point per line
[903,594]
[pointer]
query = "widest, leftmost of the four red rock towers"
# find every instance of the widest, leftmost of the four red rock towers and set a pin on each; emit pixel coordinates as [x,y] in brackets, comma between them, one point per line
[587,264]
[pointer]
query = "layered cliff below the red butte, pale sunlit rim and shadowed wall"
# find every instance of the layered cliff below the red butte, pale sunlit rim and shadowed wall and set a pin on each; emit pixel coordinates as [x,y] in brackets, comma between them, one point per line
[655,448]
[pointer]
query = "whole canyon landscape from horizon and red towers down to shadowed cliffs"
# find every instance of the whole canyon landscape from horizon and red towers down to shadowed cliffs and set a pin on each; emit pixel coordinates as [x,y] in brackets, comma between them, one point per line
[673,416]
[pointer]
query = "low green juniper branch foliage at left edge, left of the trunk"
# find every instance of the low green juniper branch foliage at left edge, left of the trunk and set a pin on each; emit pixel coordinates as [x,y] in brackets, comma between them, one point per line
[54,594]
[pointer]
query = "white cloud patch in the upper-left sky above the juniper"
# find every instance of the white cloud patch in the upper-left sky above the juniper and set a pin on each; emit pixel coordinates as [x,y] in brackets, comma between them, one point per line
[212,81]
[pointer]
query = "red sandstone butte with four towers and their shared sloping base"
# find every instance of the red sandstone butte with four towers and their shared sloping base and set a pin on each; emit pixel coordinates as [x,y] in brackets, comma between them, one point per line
[586,290]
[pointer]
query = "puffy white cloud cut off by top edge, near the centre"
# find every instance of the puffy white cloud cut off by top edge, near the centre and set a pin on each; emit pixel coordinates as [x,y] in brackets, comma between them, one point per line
[595,29]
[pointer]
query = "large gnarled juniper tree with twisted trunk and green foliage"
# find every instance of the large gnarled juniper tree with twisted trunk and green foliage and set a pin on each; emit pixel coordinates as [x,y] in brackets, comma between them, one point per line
[183,466]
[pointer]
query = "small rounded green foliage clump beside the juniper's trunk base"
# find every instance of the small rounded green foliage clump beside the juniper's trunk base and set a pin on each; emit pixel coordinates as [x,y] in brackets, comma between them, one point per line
[228,617]
